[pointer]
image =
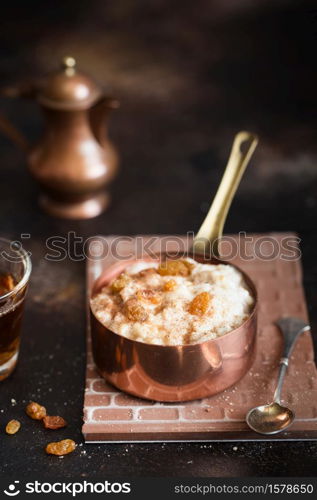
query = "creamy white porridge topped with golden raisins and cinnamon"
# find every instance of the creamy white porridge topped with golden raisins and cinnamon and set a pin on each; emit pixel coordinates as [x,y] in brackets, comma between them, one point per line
[174,303]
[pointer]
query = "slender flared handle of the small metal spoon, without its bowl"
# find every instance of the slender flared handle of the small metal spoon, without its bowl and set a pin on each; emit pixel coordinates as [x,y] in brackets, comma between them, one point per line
[291,328]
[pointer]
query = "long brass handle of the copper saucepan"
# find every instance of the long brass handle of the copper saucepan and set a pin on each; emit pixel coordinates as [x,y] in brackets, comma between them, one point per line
[211,229]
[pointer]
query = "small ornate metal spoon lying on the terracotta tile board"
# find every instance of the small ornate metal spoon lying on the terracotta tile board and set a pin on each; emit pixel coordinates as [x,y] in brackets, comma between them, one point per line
[274,418]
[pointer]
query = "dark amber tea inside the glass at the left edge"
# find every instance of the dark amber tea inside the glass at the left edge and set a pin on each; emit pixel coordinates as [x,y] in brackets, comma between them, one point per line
[10,323]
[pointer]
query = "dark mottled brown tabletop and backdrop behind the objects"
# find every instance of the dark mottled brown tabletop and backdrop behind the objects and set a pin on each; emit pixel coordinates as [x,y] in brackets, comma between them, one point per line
[189,75]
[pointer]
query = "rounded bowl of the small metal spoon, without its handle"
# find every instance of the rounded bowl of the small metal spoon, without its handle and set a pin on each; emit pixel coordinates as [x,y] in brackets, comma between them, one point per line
[270,419]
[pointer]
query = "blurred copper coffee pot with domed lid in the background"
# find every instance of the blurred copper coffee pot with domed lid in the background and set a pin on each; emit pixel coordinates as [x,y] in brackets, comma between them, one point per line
[74,160]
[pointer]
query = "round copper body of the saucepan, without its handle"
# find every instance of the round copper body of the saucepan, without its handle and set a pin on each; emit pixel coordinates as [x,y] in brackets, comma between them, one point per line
[173,373]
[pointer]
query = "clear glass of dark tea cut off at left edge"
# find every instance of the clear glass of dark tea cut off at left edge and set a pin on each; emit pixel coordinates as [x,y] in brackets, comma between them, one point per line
[15,270]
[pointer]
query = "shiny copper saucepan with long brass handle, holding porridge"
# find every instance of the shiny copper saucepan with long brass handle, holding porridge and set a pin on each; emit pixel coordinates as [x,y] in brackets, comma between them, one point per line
[191,371]
